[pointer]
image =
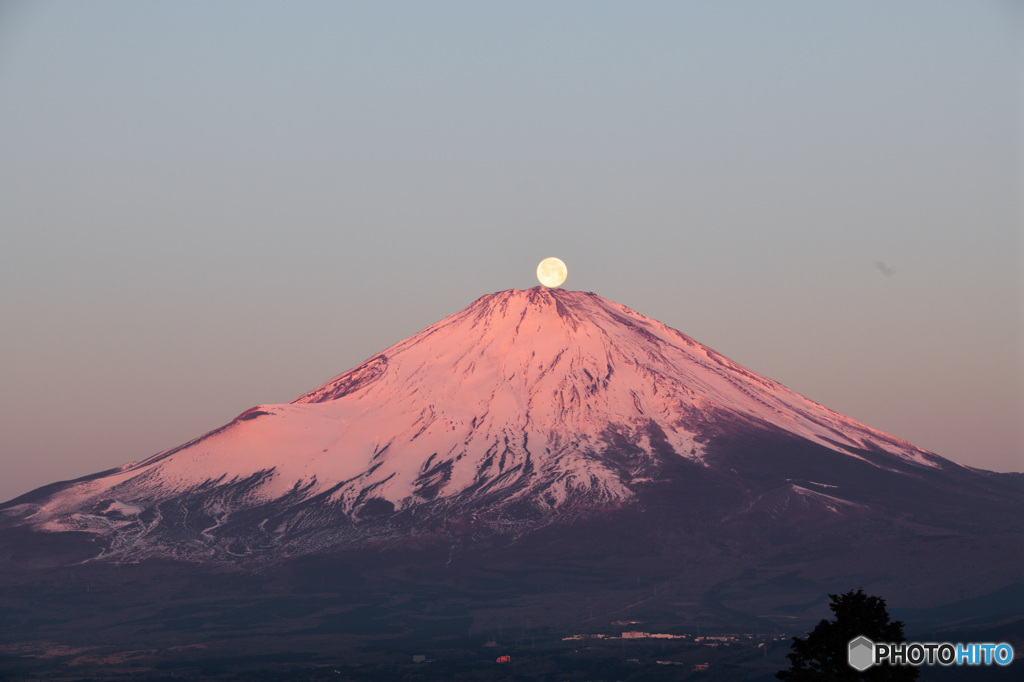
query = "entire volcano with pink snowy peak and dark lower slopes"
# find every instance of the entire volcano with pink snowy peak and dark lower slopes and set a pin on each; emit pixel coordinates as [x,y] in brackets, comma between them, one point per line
[543,457]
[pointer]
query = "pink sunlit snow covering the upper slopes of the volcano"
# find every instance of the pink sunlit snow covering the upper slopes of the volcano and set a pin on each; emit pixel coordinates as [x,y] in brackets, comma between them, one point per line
[520,385]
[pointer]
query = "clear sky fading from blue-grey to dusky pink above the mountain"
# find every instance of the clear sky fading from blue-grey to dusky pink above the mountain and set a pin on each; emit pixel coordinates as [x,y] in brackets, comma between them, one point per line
[209,206]
